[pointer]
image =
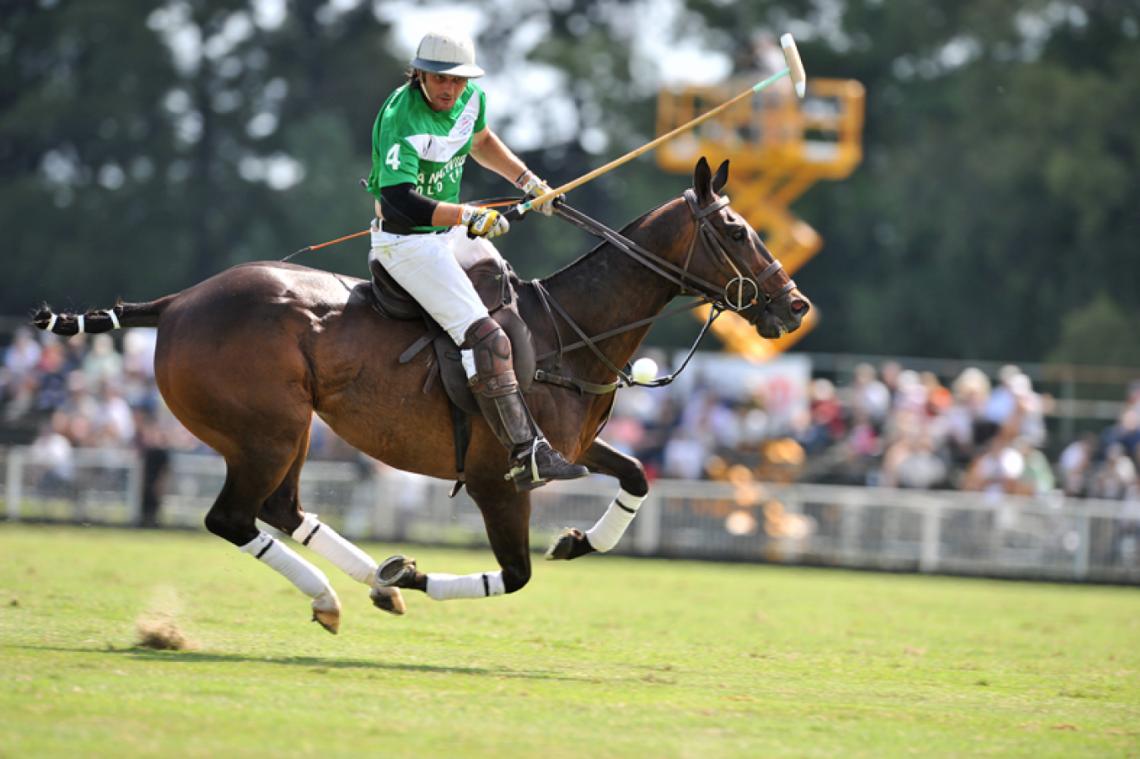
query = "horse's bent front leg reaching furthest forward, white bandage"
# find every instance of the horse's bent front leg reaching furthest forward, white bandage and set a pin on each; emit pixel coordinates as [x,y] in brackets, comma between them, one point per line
[605,459]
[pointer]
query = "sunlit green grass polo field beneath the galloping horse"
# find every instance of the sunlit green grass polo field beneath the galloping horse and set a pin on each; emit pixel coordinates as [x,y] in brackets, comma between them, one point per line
[602,657]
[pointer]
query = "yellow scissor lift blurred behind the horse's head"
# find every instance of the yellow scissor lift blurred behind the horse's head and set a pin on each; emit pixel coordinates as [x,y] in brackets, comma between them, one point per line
[779,148]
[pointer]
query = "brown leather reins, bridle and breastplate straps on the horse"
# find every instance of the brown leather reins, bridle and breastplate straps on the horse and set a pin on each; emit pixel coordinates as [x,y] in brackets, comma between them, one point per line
[742,292]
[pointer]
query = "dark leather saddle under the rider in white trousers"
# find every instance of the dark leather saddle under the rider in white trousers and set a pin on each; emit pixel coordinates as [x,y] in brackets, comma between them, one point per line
[496,284]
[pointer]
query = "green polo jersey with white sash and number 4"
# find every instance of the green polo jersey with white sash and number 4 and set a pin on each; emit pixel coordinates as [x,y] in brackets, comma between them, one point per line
[411,143]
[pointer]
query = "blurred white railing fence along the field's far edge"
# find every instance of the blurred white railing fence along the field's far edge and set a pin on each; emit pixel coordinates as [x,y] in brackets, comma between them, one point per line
[872,528]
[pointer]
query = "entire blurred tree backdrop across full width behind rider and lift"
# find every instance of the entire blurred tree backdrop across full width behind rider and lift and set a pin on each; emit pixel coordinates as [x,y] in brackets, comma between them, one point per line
[146,146]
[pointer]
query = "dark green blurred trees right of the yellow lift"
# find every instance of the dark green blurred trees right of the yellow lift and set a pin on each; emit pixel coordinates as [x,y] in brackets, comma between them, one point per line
[1000,177]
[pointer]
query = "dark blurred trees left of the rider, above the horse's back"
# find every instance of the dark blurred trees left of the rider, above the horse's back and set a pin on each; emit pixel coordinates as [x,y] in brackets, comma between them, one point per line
[146,148]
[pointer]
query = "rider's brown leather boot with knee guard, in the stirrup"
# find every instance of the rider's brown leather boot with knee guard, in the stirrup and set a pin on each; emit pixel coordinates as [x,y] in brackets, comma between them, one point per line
[533,462]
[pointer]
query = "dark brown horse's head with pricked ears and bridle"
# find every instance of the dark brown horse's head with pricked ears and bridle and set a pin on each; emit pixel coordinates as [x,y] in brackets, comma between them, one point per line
[755,284]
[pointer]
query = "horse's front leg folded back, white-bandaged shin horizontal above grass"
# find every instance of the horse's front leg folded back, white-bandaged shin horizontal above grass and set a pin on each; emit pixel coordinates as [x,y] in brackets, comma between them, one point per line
[507,517]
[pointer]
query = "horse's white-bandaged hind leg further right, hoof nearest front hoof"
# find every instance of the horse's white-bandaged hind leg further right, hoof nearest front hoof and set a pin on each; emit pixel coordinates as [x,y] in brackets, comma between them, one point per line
[283,511]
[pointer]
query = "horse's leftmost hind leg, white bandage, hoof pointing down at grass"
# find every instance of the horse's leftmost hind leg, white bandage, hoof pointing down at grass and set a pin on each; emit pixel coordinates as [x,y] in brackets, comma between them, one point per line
[248,486]
